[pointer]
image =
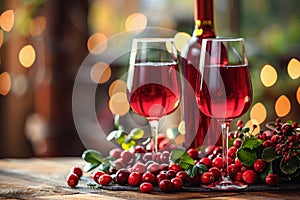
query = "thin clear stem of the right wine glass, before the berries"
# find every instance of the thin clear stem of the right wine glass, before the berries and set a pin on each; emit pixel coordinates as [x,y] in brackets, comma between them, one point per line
[225,129]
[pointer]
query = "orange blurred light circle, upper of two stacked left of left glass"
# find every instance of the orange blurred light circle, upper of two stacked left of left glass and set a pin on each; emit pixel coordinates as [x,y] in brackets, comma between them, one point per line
[97,43]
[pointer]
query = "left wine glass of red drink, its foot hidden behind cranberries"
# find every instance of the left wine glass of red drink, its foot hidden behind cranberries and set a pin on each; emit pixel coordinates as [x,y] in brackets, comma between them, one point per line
[153,81]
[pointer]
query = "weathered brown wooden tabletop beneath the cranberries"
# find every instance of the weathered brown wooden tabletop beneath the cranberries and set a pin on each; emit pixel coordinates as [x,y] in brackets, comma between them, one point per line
[37,178]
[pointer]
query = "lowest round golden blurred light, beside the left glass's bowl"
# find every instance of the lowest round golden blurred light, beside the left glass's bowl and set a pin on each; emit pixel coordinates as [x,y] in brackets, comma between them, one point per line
[118,104]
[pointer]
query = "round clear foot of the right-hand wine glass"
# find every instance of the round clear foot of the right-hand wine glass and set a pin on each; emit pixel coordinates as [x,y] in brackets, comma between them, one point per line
[226,185]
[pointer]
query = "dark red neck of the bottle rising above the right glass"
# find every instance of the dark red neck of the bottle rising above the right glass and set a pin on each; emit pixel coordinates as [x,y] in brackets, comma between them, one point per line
[203,16]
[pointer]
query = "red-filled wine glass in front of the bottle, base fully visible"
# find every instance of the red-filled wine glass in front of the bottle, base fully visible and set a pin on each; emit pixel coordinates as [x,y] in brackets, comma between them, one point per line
[224,91]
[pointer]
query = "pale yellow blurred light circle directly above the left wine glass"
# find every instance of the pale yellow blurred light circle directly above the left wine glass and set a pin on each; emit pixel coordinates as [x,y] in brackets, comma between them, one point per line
[136,22]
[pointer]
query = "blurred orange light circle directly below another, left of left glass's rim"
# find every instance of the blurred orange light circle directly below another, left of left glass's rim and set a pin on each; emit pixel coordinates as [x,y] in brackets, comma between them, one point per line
[100,72]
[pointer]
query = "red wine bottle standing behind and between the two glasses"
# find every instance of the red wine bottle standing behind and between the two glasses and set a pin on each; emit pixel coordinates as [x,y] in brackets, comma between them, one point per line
[200,129]
